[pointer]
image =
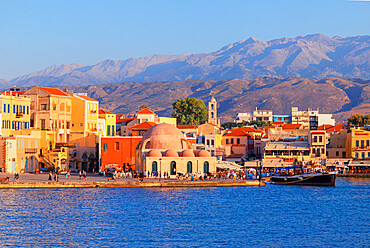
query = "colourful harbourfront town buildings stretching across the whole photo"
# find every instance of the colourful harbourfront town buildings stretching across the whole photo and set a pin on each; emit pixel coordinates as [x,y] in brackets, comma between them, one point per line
[46,128]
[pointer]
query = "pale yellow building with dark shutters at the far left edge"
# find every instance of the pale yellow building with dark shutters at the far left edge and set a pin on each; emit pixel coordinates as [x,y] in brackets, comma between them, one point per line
[14,112]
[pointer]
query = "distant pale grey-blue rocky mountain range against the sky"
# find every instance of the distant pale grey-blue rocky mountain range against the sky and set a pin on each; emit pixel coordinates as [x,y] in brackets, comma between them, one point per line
[312,56]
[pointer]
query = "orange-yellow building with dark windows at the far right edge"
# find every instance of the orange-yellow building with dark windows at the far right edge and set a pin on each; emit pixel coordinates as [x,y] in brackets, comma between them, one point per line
[358,144]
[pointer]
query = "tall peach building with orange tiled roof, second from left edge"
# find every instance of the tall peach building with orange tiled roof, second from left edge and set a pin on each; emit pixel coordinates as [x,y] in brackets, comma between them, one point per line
[51,109]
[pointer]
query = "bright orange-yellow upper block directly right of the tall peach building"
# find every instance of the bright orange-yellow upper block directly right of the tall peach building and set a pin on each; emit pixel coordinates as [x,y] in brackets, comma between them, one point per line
[84,113]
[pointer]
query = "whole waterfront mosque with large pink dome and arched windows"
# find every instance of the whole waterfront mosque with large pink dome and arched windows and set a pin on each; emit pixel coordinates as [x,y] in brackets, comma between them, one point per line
[164,148]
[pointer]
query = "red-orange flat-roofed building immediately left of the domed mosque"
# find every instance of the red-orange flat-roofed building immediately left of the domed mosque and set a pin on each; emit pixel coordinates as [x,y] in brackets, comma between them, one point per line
[119,152]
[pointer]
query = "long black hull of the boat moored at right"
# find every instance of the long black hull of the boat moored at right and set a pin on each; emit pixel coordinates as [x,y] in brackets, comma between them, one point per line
[305,180]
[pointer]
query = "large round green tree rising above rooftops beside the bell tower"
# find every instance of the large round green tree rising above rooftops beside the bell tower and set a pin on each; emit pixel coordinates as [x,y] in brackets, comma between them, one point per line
[189,111]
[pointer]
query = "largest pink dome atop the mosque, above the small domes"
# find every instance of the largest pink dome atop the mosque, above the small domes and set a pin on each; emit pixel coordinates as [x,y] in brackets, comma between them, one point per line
[164,137]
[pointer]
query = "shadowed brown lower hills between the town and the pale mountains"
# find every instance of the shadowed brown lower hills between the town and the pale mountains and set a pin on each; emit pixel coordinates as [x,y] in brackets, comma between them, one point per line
[330,95]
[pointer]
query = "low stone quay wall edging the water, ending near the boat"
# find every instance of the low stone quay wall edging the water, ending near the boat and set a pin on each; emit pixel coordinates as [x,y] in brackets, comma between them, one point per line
[136,184]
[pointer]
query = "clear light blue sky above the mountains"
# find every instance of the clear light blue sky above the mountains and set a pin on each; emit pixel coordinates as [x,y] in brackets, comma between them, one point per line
[35,34]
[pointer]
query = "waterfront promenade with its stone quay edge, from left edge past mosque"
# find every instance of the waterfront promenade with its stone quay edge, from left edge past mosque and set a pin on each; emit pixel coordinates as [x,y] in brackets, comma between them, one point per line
[97,181]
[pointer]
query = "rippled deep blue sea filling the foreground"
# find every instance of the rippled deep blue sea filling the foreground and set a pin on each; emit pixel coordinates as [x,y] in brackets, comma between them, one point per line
[271,216]
